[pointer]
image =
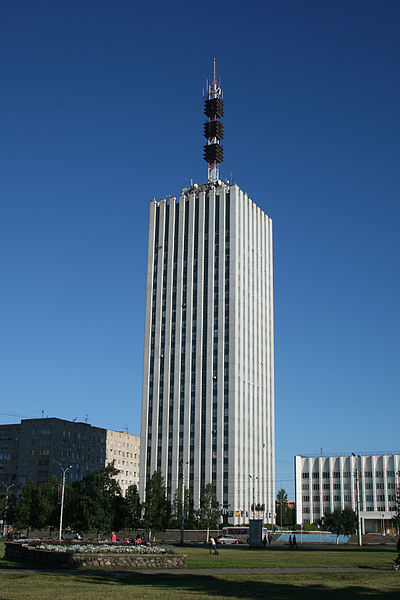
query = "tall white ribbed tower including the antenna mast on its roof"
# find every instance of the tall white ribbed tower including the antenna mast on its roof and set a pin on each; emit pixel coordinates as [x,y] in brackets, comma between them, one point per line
[208,375]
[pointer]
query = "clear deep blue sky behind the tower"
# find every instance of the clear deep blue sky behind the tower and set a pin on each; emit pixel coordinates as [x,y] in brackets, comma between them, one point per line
[101,110]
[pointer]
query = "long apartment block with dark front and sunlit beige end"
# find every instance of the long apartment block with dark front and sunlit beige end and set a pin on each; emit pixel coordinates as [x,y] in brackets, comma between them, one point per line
[36,448]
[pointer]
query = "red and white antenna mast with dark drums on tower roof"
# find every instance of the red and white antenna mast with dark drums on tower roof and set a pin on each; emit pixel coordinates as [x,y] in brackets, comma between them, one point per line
[213,128]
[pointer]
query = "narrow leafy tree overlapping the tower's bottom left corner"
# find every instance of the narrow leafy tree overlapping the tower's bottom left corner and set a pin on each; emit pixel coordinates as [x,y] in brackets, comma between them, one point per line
[156,507]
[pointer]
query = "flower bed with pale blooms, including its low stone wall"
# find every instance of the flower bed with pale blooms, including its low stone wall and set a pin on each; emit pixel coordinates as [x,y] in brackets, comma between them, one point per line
[81,554]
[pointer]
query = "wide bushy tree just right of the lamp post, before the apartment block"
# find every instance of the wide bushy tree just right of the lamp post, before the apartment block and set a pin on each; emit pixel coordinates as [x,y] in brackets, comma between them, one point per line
[90,504]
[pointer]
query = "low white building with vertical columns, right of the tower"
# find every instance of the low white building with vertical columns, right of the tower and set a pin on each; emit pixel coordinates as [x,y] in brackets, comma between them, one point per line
[327,483]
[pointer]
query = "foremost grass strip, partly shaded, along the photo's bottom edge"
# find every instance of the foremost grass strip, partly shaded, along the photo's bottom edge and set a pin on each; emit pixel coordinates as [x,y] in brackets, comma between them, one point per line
[381,586]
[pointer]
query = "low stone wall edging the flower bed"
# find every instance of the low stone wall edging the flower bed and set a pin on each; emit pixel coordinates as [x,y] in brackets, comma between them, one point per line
[22,552]
